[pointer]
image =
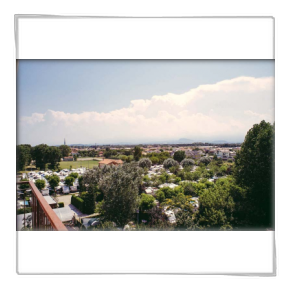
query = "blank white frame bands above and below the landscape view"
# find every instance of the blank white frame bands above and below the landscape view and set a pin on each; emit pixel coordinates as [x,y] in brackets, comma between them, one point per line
[235,253]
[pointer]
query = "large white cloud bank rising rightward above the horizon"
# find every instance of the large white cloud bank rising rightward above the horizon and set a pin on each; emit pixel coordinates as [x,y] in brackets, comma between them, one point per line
[227,109]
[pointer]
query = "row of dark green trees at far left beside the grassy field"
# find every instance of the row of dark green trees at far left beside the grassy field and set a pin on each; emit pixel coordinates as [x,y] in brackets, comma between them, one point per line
[42,154]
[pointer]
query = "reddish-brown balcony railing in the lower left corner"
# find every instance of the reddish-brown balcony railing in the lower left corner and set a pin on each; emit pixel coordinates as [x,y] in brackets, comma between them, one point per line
[43,216]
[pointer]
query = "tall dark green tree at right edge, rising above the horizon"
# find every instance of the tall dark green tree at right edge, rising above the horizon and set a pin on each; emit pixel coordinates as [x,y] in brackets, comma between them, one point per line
[254,171]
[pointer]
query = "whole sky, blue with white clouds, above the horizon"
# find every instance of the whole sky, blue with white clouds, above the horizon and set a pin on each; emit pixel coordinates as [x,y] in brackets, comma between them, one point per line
[139,101]
